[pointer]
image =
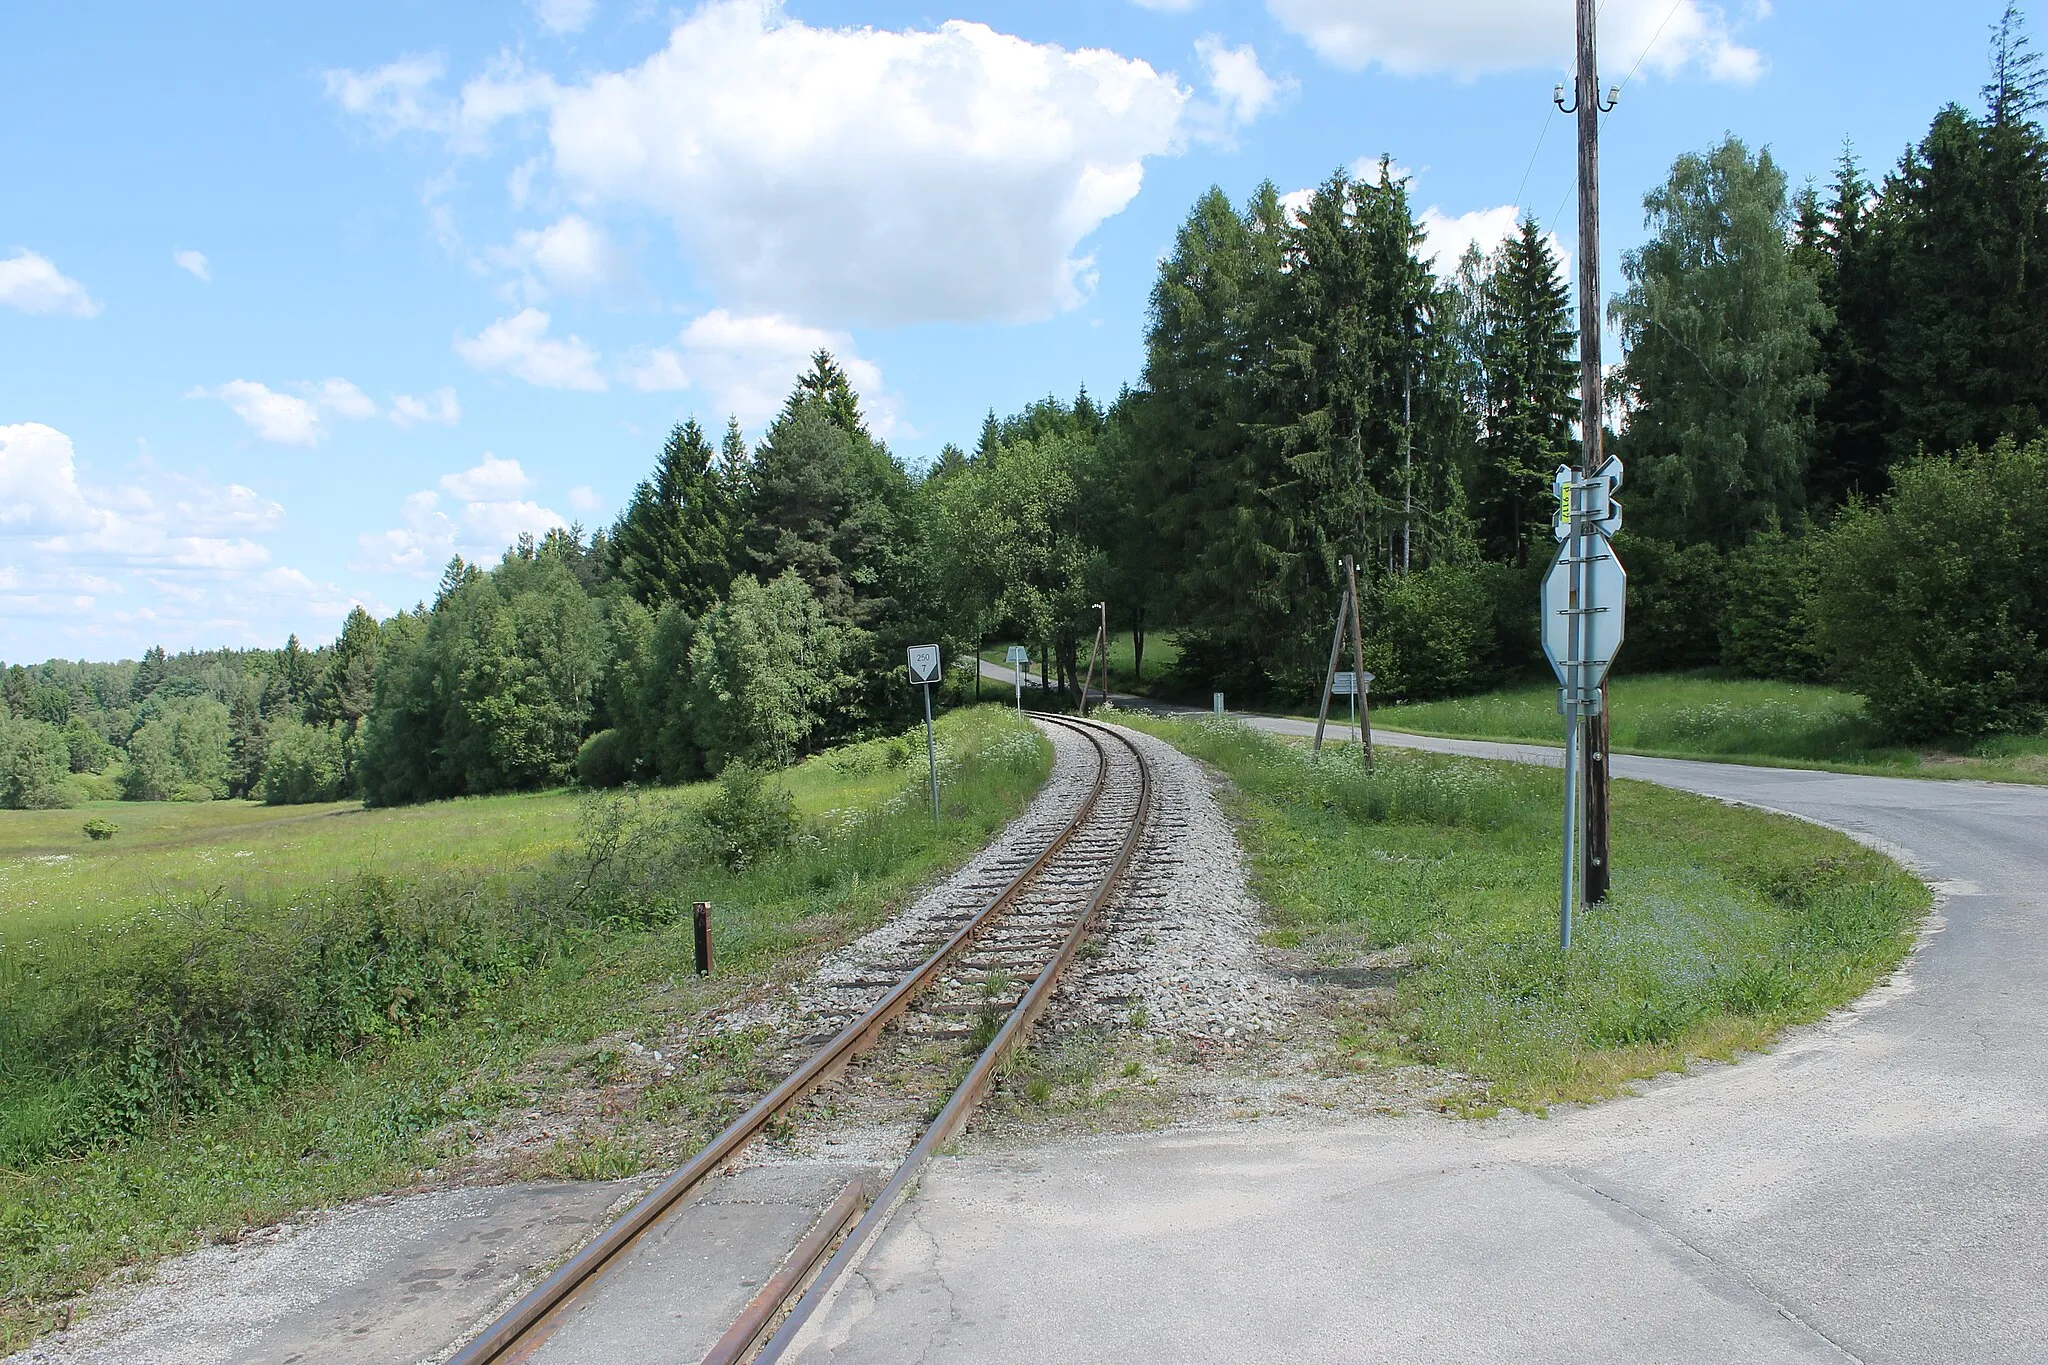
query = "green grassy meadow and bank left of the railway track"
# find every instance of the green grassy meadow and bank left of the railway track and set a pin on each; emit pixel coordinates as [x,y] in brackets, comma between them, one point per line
[228,1014]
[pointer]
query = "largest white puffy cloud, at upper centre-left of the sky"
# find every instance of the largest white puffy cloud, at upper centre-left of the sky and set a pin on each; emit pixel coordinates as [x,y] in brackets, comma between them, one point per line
[873,175]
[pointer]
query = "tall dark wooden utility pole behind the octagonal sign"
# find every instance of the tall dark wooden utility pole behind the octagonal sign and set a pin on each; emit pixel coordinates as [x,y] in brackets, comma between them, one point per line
[1592,408]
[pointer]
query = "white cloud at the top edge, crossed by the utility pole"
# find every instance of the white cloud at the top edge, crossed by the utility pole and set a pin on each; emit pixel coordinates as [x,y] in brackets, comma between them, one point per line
[1471,38]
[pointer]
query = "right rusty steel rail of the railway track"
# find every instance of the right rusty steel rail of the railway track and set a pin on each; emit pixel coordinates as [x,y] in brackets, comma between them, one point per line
[978,1077]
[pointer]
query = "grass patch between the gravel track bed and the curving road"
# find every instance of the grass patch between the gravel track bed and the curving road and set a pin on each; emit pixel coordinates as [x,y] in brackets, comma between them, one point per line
[1725,924]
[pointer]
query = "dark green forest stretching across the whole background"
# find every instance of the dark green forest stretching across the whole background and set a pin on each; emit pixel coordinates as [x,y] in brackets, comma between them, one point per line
[1832,406]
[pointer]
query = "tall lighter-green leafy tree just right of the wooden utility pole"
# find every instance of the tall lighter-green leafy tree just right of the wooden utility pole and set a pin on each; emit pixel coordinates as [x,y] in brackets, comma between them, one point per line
[1723,357]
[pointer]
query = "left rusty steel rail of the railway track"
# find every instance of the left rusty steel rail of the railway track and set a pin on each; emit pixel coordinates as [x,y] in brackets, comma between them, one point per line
[511,1335]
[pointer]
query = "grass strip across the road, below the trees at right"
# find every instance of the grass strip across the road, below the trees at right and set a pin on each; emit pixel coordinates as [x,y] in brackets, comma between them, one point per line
[1723,719]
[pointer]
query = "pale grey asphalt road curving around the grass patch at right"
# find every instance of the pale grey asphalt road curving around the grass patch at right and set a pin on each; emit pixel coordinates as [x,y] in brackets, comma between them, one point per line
[1875,1190]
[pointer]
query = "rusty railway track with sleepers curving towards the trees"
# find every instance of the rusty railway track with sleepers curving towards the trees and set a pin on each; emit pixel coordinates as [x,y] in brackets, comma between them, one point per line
[984,979]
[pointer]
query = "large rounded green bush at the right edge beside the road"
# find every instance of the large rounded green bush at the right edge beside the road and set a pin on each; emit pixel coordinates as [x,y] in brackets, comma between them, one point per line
[1934,605]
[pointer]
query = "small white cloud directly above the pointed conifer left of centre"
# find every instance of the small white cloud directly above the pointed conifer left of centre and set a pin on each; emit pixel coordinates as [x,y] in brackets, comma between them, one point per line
[749,365]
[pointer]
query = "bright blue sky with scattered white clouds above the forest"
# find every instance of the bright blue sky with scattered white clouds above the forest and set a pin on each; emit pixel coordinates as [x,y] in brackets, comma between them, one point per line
[296,302]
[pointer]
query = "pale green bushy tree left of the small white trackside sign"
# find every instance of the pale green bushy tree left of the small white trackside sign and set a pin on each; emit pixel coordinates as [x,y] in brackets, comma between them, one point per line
[765,670]
